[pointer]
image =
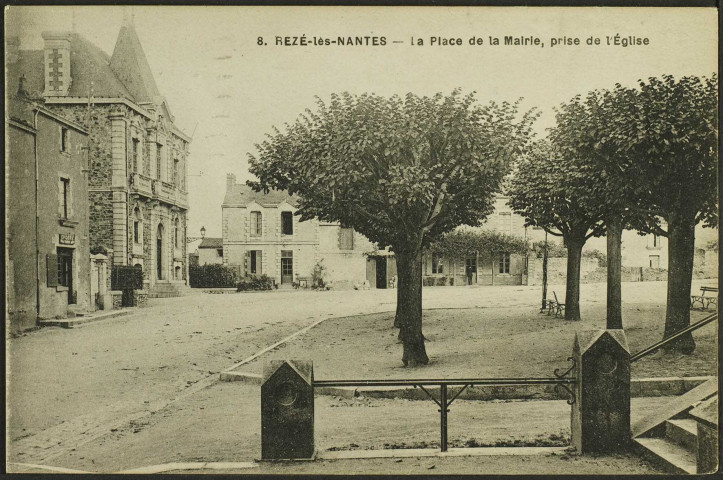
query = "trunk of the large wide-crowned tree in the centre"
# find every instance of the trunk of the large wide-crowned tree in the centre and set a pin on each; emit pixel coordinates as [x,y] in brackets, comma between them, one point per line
[409,308]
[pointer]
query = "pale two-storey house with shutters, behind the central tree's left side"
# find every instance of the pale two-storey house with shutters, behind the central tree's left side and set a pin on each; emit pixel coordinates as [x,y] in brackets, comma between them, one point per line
[262,235]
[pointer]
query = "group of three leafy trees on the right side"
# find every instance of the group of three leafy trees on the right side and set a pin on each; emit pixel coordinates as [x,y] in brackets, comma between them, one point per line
[641,158]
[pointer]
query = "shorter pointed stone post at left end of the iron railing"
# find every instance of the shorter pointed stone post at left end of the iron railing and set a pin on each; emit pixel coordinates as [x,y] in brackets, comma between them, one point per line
[287,410]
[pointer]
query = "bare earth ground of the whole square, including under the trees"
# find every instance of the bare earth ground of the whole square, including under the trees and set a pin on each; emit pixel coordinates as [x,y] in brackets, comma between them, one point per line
[117,406]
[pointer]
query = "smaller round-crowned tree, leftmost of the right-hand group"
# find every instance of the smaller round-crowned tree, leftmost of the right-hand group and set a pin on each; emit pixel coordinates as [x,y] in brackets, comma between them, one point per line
[552,190]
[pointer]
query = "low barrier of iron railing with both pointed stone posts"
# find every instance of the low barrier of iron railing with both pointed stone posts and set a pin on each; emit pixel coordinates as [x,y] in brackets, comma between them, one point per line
[597,386]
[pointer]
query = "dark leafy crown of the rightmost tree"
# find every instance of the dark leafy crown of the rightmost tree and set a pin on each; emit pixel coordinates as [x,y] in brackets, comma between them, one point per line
[665,139]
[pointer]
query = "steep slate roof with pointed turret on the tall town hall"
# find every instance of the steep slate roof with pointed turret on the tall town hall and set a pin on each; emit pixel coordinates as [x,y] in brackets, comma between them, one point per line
[124,75]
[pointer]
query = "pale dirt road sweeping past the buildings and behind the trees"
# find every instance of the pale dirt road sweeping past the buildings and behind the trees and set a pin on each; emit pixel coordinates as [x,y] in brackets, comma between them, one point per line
[68,387]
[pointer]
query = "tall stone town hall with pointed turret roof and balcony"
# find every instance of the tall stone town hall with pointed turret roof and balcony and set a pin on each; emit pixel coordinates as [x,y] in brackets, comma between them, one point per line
[138,157]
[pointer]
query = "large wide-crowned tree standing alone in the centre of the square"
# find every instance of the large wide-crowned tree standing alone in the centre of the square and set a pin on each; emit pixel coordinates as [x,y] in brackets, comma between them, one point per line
[401,171]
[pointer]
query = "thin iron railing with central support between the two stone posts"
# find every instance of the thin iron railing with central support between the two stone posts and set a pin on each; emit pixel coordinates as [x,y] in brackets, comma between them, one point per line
[560,380]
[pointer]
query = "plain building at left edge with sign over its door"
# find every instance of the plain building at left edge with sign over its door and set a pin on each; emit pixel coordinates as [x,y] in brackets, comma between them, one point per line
[46,213]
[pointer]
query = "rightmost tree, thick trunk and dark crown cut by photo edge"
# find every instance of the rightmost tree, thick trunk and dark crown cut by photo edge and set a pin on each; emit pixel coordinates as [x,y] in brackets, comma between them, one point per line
[666,134]
